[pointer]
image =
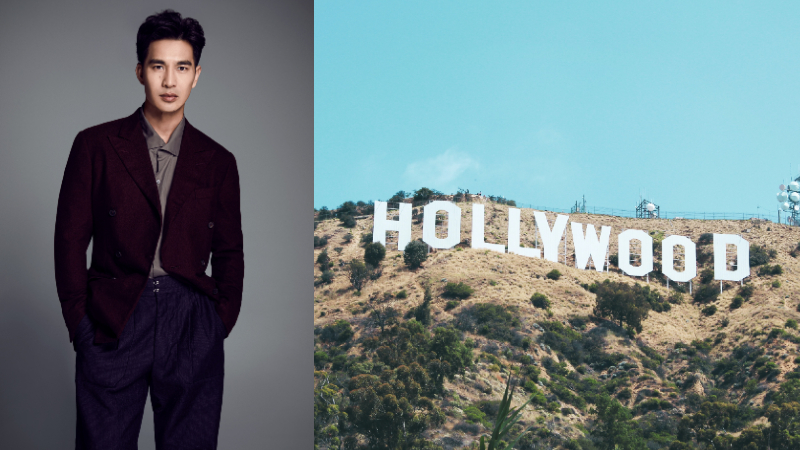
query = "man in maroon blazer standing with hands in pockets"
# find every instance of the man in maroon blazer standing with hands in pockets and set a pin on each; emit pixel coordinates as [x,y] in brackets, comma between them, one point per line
[157,196]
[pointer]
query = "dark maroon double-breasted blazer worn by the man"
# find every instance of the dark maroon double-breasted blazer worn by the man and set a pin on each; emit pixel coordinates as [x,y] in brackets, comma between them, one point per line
[109,194]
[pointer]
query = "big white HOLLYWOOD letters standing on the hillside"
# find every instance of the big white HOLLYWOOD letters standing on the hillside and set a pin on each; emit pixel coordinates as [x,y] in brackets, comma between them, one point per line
[587,245]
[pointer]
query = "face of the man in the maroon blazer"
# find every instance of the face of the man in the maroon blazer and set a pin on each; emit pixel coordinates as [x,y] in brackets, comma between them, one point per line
[168,75]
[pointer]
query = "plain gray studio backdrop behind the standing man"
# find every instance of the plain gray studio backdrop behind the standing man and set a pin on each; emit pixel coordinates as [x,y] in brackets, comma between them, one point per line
[67,66]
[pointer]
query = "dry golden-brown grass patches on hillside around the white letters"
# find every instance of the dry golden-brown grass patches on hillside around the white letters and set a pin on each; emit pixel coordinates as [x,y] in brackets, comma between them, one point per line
[516,278]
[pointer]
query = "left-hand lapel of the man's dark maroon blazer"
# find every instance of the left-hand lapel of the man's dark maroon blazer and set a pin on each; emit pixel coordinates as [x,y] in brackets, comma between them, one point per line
[131,147]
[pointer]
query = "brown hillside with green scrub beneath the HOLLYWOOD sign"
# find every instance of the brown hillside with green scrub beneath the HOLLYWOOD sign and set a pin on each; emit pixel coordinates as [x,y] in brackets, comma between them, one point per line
[683,361]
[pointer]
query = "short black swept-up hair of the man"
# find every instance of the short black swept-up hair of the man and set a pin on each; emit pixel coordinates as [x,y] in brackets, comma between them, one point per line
[169,24]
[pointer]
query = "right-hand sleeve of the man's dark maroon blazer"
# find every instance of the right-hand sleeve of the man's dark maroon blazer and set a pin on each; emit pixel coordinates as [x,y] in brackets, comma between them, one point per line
[227,255]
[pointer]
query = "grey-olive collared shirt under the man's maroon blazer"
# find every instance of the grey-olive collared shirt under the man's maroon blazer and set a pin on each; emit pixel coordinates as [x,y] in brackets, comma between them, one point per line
[164,157]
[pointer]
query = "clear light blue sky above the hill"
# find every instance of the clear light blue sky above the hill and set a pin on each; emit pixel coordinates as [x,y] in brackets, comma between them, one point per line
[695,103]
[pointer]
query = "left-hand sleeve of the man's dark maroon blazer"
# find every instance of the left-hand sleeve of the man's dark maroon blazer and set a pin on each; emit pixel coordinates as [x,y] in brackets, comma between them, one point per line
[73,232]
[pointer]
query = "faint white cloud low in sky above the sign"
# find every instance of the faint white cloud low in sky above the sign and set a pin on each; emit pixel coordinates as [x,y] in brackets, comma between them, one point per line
[440,172]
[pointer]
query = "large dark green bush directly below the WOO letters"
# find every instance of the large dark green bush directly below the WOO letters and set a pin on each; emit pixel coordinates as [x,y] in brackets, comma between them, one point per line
[622,303]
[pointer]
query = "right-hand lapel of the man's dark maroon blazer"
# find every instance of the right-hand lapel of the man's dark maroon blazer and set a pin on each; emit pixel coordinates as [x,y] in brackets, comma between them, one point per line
[192,163]
